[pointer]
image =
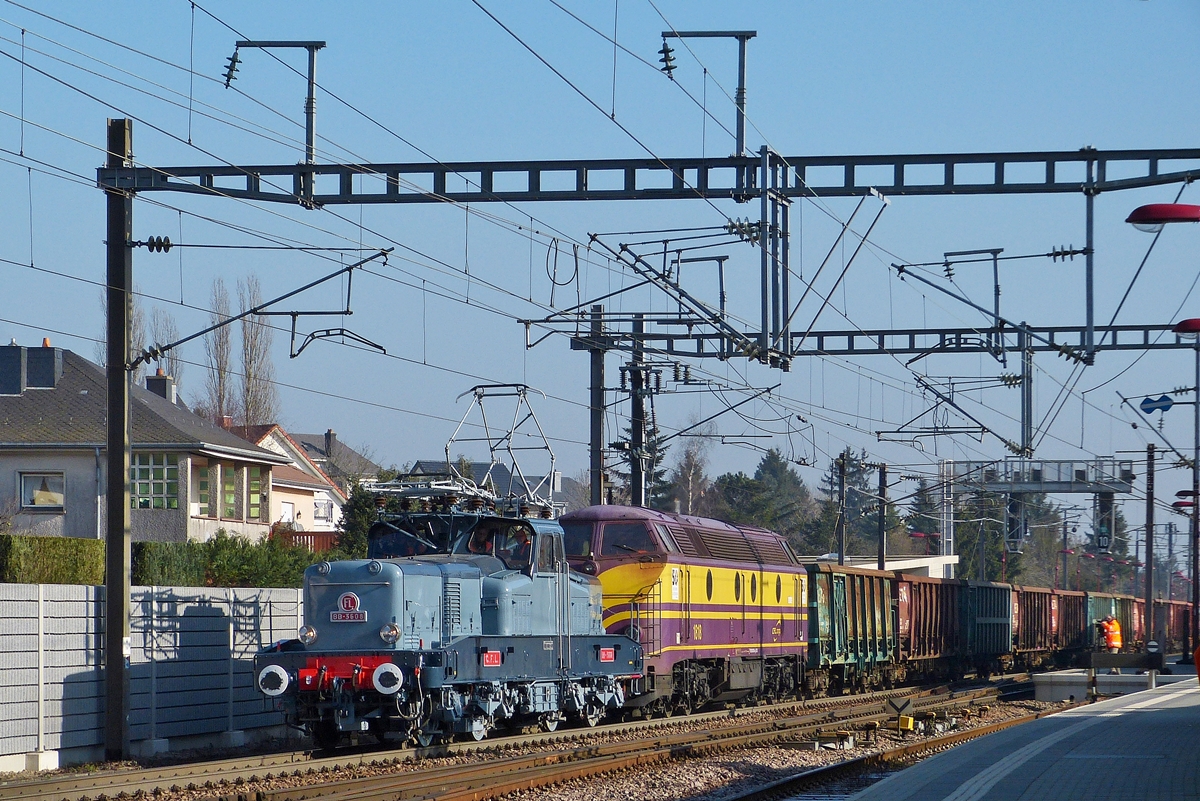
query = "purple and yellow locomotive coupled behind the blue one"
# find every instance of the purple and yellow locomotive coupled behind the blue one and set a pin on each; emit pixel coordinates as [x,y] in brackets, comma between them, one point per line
[722,611]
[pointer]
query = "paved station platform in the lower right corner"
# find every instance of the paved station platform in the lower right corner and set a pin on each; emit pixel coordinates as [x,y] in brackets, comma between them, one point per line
[1142,746]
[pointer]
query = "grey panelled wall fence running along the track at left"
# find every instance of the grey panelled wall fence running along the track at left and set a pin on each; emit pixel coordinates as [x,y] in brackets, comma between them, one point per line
[191,670]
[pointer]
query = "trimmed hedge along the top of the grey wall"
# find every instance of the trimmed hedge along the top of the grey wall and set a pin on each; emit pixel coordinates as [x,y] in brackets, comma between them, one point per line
[221,562]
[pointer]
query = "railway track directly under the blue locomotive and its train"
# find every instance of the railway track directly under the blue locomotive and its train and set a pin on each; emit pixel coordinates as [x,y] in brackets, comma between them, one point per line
[208,775]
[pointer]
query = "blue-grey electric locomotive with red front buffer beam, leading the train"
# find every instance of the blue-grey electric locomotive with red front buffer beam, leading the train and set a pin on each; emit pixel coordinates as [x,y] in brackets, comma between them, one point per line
[463,619]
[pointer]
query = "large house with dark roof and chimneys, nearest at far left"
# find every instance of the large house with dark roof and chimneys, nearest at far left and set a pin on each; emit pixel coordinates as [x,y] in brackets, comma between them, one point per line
[189,478]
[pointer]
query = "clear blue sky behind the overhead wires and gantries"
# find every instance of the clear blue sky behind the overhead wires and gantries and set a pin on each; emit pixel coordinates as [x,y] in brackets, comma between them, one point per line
[824,80]
